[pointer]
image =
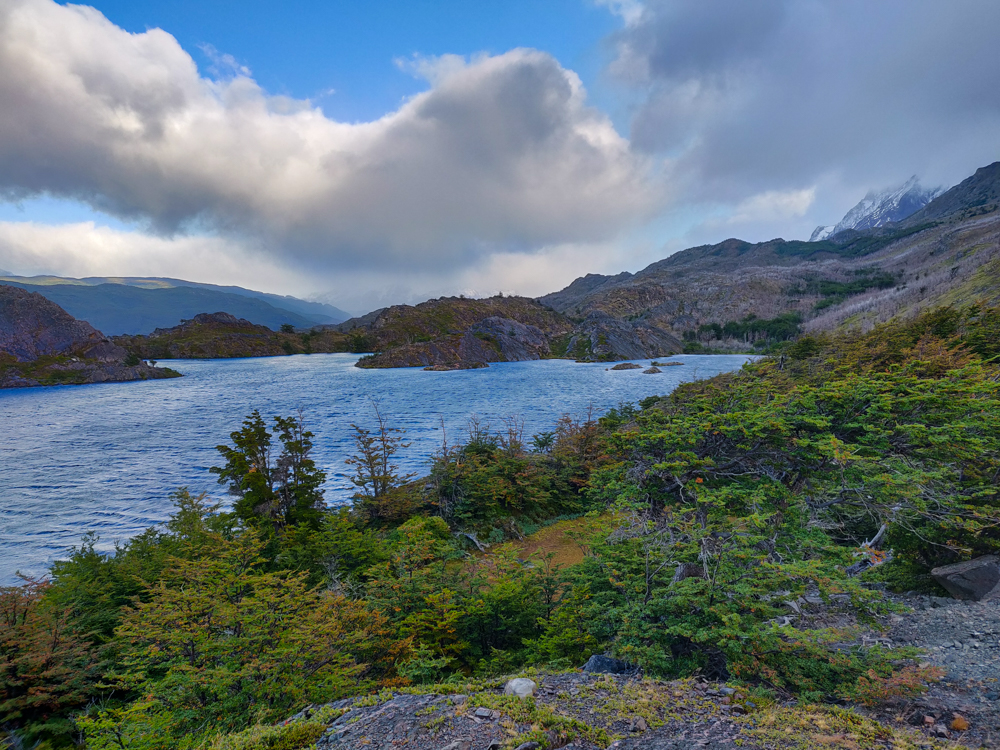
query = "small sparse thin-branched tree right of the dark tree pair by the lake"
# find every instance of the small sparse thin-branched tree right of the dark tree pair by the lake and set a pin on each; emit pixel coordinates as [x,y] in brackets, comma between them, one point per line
[376,475]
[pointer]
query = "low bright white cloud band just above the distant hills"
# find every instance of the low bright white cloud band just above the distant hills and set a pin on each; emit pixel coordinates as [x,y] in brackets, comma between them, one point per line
[84,249]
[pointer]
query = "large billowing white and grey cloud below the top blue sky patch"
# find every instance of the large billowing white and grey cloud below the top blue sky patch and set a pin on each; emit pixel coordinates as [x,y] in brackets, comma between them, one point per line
[502,152]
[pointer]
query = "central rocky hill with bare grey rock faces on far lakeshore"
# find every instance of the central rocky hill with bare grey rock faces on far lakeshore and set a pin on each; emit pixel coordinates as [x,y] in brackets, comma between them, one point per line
[455,332]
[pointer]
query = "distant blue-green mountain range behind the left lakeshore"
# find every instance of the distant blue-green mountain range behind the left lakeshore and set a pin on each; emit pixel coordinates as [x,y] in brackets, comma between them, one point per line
[137,305]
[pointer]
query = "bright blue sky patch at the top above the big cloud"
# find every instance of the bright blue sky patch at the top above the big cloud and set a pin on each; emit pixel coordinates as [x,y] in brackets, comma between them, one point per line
[304,48]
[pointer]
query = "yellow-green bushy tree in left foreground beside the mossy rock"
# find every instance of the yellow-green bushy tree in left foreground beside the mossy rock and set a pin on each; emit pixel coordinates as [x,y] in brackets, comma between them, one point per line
[221,642]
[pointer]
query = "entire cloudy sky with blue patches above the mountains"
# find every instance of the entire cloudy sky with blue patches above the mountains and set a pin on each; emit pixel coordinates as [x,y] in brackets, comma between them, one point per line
[387,151]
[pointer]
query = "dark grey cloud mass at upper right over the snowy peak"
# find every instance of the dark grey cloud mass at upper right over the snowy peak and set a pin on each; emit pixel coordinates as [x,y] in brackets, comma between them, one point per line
[748,97]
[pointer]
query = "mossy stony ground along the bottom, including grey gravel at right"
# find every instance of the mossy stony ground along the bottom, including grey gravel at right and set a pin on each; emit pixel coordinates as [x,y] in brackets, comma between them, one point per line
[595,711]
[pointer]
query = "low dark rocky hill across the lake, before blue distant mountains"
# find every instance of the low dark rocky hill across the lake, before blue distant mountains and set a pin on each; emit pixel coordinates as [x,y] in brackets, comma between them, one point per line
[221,335]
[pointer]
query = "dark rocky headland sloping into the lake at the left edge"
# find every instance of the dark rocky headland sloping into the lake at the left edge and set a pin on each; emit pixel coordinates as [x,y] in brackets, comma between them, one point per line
[42,344]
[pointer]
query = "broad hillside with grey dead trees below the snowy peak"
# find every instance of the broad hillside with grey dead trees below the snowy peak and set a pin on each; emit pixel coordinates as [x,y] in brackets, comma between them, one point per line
[948,251]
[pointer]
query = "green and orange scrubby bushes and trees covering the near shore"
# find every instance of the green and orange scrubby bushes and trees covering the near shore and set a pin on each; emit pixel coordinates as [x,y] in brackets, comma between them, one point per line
[835,463]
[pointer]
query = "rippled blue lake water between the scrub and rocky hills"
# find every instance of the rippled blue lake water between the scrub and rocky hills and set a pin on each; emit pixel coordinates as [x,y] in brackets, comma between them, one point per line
[104,458]
